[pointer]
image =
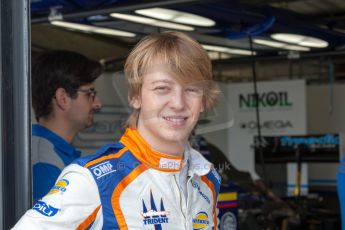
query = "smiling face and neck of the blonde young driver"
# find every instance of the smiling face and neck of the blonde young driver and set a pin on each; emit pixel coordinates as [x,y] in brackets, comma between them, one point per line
[168,109]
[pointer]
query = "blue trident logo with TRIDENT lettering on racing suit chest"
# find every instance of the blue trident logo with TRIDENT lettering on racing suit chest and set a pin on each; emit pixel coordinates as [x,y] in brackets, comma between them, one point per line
[154,216]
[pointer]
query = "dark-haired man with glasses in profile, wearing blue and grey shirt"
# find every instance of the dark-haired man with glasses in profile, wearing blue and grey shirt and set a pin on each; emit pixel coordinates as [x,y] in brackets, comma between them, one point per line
[64,100]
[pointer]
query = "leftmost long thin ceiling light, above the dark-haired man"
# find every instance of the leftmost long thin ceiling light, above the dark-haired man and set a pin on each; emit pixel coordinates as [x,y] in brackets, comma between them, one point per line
[92,29]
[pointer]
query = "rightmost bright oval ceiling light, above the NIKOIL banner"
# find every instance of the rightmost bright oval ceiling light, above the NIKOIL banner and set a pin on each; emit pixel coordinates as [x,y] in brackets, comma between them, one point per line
[300,40]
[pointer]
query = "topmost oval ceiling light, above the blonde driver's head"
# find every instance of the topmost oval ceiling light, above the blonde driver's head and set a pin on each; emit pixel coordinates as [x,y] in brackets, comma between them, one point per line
[176,16]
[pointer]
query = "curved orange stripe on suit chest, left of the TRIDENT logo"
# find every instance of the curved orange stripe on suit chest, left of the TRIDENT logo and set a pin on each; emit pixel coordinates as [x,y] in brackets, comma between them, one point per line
[115,199]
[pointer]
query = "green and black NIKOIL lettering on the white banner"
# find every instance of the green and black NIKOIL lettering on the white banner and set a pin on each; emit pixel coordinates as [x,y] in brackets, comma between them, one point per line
[268,100]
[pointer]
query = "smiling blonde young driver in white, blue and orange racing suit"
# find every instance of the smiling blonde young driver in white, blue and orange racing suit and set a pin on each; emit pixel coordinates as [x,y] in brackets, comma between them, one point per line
[151,178]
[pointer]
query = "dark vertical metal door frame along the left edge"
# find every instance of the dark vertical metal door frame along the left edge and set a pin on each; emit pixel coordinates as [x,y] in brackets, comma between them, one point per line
[15,122]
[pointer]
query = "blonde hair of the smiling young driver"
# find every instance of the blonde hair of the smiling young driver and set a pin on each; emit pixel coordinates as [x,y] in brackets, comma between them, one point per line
[182,55]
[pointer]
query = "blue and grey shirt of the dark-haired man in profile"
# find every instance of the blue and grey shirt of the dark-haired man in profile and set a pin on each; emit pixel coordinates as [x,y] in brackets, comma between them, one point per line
[49,155]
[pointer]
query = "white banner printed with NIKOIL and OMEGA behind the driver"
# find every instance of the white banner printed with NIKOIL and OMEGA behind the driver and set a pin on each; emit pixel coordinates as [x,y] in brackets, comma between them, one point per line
[282,110]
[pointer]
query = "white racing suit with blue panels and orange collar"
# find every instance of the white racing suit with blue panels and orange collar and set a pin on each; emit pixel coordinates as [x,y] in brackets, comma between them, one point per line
[127,185]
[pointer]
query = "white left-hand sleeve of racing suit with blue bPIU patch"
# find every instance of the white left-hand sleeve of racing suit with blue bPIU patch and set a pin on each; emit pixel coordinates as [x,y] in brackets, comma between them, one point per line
[68,204]
